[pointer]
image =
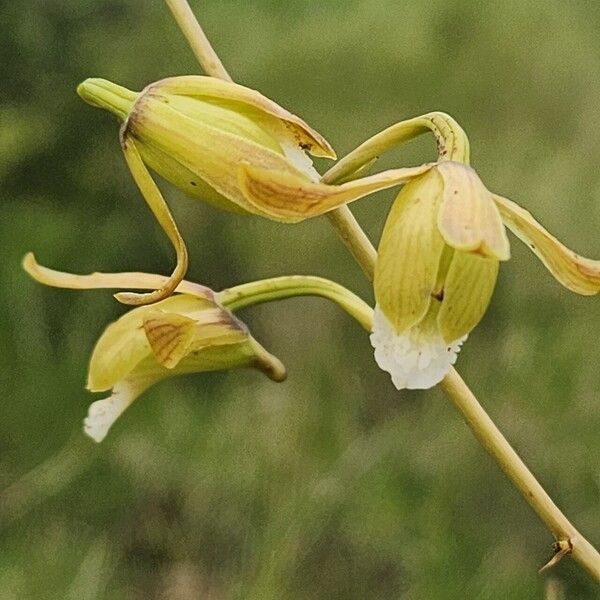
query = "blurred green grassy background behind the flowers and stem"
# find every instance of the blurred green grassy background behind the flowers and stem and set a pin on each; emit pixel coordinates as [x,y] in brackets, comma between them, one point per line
[330,485]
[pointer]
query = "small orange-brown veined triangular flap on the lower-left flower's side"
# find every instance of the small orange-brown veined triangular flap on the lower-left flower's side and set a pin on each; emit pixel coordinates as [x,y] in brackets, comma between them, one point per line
[169,336]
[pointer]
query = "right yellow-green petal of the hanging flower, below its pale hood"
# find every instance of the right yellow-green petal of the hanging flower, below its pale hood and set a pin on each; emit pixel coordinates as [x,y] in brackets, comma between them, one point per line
[467,293]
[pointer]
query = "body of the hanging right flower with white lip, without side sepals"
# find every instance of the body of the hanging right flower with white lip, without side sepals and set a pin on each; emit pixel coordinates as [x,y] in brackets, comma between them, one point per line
[436,269]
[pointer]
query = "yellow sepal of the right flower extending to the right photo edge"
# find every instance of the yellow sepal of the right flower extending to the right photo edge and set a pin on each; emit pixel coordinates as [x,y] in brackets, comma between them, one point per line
[577,273]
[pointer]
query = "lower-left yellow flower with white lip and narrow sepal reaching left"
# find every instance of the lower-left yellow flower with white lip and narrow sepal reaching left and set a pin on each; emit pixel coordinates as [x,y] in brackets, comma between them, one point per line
[189,332]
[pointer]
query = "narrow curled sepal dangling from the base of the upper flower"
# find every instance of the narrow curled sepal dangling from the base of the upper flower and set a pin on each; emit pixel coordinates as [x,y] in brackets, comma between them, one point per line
[159,208]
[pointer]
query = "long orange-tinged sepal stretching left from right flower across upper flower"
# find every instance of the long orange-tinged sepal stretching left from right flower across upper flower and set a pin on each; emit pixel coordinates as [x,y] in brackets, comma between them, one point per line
[290,198]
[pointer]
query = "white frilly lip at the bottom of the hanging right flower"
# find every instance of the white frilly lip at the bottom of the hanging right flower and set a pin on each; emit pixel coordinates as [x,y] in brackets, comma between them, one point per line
[417,359]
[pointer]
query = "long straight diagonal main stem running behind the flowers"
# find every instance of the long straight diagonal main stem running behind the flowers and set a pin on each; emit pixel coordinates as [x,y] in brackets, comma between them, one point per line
[453,385]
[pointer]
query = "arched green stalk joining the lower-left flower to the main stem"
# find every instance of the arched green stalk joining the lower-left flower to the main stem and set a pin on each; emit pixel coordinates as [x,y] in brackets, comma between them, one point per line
[279,288]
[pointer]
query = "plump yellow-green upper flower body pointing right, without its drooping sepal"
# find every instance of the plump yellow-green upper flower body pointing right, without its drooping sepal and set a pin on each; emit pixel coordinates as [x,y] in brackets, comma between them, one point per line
[197,131]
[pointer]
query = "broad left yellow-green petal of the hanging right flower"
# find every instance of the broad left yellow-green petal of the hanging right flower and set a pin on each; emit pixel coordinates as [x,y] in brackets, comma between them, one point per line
[409,253]
